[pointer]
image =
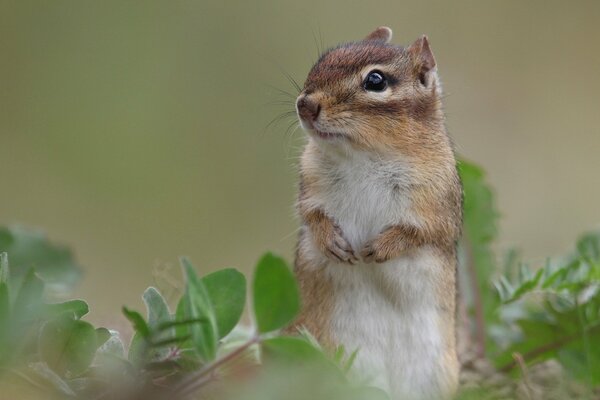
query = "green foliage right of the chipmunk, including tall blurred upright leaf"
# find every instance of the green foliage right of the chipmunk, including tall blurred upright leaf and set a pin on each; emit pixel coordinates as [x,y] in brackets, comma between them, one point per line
[552,311]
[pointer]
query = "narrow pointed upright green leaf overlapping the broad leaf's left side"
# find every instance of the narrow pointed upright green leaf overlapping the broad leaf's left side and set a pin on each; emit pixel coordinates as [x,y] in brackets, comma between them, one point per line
[197,305]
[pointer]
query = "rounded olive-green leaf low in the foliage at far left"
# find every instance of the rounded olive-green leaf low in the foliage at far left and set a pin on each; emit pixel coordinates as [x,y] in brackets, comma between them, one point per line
[68,345]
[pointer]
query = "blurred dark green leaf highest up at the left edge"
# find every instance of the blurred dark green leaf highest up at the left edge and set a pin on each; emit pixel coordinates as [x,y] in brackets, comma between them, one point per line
[29,248]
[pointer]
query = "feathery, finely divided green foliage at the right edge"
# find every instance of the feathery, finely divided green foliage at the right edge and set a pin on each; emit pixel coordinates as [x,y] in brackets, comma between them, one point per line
[558,311]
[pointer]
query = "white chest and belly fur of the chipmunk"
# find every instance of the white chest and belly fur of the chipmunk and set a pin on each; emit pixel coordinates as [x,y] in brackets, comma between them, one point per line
[387,311]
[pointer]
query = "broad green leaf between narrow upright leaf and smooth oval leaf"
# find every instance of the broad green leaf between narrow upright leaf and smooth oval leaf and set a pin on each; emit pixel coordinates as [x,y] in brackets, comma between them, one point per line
[227,291]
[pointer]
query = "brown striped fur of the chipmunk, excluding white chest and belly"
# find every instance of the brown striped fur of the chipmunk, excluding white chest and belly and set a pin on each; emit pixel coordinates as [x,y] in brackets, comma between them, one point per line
[404,125]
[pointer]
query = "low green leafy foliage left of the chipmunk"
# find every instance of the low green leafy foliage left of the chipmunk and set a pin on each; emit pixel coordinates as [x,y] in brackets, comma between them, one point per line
[172,354]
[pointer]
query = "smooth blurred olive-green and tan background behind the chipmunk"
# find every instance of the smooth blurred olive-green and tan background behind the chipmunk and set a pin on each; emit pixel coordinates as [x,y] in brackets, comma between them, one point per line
[136,131]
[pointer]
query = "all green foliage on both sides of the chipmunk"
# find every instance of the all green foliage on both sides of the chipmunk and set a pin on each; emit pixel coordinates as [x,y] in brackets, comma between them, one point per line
[197,345]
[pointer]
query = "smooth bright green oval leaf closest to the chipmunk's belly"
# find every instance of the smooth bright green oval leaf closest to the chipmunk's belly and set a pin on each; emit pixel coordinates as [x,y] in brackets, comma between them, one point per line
[275,293]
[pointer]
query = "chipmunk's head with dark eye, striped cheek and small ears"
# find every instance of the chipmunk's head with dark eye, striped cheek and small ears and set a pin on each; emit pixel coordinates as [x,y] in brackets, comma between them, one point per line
[371,93]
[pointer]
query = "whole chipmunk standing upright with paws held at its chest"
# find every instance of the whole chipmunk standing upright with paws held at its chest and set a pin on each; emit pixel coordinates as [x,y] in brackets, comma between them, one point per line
[381,208]
